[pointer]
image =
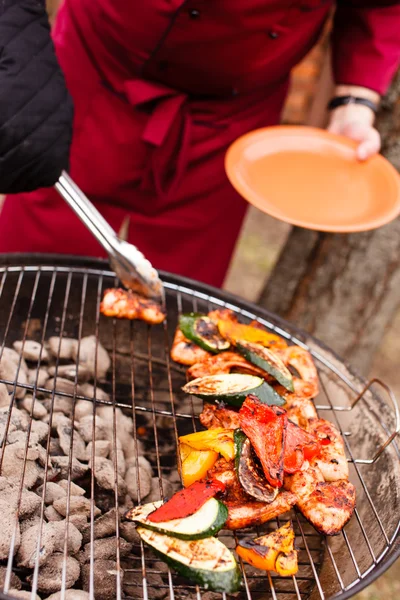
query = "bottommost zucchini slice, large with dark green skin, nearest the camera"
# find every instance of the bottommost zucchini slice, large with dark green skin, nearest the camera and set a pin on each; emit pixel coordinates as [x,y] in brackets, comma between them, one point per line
[206,562]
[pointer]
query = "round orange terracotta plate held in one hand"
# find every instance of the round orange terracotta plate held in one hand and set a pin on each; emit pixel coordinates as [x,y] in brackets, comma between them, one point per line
[311,178]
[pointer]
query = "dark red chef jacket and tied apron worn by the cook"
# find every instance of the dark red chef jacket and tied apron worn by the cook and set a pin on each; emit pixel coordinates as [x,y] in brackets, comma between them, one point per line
[161,88]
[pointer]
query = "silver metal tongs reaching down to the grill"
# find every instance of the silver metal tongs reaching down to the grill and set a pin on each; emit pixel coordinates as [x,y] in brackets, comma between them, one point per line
[131,267]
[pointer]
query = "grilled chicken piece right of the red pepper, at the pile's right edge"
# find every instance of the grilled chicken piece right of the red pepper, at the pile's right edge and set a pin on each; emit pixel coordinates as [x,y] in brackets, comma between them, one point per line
[332,460]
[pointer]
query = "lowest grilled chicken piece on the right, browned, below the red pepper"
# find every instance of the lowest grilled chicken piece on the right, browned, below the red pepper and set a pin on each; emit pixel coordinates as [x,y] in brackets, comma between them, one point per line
[327,506]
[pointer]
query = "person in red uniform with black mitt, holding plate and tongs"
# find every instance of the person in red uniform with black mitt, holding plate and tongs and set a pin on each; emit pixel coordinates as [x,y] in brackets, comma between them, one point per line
[160,89]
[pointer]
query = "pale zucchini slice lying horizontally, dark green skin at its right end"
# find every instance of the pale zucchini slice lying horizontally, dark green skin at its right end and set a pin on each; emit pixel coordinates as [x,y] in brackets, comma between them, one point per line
[233,388]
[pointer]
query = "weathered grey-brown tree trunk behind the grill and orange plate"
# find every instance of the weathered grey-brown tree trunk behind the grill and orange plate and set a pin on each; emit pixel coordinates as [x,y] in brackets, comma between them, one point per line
[344,289]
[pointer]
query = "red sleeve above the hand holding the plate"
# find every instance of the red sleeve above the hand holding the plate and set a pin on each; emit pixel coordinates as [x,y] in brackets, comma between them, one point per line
[366,43]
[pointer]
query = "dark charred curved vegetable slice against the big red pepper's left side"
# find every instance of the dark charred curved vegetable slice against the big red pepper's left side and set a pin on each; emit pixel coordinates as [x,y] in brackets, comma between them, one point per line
[252,480]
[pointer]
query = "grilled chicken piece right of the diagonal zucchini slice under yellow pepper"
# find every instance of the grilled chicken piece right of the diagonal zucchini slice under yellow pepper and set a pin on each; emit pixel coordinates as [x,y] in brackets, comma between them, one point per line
[305,386]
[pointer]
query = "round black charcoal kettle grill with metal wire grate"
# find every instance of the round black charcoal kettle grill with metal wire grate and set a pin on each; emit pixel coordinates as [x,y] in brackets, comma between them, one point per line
[43,296]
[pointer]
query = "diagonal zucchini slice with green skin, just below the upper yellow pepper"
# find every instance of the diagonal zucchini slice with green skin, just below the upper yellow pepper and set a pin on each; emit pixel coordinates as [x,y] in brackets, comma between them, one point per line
[268,361]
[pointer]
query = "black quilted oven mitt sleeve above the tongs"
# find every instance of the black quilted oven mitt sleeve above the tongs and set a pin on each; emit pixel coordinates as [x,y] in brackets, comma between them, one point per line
[35,107]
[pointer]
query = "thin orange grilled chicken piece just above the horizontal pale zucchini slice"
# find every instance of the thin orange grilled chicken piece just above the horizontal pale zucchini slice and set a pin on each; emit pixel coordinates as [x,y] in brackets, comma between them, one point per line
[225,362]
